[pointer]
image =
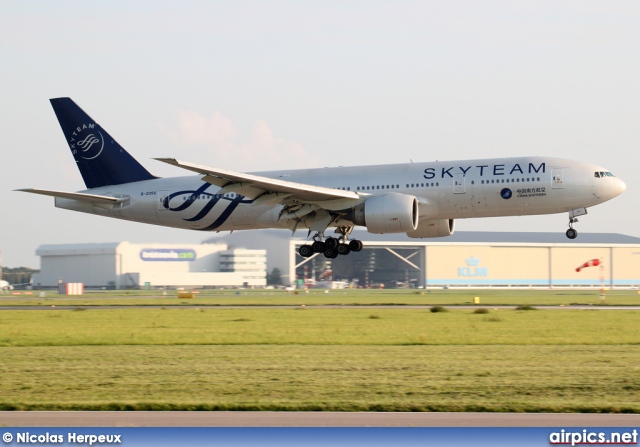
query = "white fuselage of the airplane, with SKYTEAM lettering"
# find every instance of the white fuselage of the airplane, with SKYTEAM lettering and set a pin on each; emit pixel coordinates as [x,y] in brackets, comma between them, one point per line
[445,190]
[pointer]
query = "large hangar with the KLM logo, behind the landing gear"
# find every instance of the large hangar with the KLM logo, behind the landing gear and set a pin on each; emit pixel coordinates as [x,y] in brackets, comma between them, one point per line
[465,259]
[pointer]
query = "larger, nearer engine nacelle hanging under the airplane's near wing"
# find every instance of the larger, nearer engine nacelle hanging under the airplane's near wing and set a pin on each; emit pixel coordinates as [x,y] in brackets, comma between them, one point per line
[390,213]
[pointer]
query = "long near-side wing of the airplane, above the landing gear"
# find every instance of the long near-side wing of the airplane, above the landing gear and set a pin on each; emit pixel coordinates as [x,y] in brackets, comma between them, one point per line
[256,183]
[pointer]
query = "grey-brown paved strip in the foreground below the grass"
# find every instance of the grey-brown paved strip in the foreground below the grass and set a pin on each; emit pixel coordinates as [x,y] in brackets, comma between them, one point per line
[308,419]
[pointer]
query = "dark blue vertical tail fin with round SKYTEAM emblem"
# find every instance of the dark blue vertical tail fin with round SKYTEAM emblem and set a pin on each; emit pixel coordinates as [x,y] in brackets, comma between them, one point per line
[101,160]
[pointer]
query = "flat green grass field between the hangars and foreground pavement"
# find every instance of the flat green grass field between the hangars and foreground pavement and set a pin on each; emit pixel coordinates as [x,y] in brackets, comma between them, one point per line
[306,358]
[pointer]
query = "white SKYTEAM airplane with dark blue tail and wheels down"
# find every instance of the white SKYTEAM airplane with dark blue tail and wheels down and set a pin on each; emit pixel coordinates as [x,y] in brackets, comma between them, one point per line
[422,200]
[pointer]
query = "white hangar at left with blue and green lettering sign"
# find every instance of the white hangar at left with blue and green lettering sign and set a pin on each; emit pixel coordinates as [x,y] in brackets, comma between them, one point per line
[122,265]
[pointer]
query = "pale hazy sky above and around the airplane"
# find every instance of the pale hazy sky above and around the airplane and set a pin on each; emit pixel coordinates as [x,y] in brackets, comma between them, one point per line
[264,85]
